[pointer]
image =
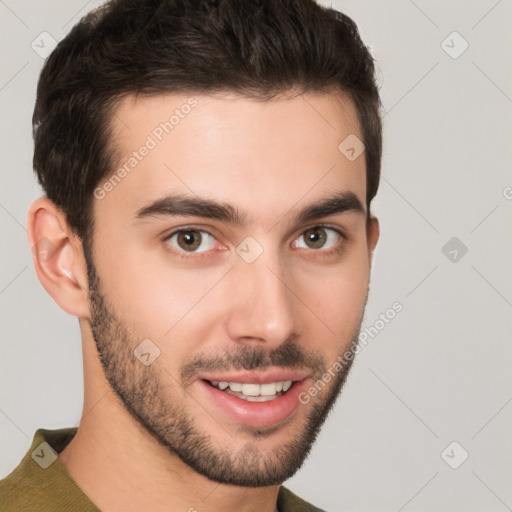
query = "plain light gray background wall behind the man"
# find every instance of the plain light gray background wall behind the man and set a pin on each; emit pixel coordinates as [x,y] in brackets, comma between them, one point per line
[440,371]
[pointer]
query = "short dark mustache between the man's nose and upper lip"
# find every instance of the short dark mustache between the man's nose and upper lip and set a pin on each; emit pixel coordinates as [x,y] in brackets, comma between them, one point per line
[287,355]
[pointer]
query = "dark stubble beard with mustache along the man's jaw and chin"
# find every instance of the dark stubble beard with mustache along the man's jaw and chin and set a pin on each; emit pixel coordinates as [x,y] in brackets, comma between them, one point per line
[142,393]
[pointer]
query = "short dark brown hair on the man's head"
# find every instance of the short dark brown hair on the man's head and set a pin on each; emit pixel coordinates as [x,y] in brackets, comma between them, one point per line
[259,48]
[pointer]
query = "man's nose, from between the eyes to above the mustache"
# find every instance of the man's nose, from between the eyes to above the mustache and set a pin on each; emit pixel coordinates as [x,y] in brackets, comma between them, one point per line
[263,307]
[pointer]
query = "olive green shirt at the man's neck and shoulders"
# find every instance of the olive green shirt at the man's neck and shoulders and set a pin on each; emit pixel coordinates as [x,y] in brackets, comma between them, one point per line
[41,483]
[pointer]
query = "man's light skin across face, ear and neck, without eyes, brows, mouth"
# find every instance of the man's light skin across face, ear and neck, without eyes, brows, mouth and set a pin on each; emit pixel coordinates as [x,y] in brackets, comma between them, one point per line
[268,159]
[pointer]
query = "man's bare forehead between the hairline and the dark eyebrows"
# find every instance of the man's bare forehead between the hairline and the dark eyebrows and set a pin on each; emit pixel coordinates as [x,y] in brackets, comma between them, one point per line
[262,156]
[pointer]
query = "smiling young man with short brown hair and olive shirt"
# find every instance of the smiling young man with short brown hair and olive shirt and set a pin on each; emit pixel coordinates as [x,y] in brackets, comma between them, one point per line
[208,170]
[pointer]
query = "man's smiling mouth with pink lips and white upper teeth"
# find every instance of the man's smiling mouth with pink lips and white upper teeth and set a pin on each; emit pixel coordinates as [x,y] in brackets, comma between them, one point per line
[254,399]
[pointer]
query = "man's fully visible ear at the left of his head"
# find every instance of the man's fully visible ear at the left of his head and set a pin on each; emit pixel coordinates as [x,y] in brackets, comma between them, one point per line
[58,257]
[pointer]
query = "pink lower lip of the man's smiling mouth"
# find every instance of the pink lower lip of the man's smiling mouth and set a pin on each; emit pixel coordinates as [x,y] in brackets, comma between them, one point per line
[255,414]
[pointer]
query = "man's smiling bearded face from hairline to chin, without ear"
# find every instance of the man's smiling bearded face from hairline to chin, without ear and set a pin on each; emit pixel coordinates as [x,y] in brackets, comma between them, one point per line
[229,272]
